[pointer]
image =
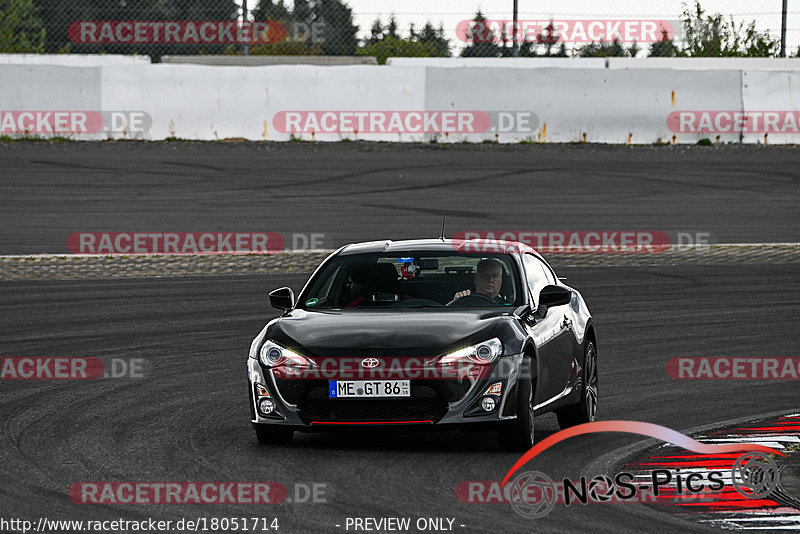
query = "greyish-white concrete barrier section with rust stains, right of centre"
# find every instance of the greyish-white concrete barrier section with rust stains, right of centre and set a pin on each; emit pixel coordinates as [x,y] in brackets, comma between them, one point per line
[596,106]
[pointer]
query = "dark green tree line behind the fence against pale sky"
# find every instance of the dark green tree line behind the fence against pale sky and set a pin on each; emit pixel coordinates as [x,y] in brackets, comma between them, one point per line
[326,27]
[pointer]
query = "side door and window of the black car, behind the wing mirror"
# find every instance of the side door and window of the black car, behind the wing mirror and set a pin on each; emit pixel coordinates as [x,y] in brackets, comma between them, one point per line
[552,334]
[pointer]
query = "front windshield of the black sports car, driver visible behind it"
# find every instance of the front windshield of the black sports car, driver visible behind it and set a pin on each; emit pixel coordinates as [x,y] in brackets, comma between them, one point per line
[414,280]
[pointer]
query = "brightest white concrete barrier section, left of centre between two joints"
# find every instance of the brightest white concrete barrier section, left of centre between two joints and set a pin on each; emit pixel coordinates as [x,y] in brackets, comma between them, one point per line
[199,102]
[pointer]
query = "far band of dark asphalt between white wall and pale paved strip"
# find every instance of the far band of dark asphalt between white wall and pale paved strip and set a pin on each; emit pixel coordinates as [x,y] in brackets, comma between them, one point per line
[352,192]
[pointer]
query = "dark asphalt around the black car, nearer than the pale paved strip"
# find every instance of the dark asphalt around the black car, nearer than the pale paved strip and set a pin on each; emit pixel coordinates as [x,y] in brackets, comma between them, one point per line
[187,420]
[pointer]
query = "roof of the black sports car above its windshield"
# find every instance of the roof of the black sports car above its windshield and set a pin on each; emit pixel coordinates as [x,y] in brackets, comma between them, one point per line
[467,246]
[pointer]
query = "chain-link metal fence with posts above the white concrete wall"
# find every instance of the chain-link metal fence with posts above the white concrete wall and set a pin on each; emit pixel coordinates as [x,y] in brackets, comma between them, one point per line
[385,28]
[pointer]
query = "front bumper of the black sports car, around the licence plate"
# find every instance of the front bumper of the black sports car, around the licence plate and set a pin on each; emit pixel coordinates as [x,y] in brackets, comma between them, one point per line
[304,404]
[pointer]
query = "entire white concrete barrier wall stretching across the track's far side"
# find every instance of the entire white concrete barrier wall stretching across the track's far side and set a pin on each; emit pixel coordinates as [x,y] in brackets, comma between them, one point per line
[623,105]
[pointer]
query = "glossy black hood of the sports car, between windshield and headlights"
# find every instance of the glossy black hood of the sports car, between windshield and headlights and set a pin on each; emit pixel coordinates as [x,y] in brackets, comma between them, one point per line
[362,333]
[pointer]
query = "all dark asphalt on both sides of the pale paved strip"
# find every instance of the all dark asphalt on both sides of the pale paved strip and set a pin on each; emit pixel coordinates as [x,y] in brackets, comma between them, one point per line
[188,421]
